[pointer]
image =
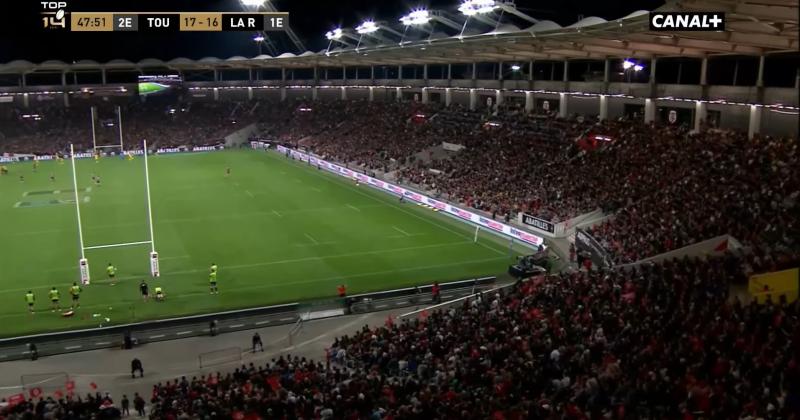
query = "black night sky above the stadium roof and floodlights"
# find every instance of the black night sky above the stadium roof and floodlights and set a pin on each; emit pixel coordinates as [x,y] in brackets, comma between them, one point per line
[22,39]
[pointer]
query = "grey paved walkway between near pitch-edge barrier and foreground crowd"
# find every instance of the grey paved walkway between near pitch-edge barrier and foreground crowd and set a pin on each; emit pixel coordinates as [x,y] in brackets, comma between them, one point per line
[109,369]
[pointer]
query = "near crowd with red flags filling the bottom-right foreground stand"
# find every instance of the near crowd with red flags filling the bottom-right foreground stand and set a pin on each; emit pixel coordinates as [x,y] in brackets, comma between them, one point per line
[657,341]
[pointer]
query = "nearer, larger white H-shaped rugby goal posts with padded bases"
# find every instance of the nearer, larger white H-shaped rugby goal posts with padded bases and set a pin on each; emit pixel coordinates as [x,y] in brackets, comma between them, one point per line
[83,263]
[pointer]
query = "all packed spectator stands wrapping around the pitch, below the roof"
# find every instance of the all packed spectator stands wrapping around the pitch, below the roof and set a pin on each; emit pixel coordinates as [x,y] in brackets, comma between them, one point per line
[652,332]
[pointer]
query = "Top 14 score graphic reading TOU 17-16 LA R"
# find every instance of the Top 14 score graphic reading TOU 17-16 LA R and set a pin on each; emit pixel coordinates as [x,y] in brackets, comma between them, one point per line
[56,17]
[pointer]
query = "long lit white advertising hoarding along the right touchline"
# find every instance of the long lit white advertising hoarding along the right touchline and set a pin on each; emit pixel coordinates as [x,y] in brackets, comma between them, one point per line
[414,196]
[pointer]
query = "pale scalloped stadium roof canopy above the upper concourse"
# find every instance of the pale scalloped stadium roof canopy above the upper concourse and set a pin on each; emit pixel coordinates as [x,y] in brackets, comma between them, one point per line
[752,27]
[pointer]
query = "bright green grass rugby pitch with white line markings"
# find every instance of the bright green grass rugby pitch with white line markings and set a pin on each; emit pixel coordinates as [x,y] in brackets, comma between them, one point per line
[279,230]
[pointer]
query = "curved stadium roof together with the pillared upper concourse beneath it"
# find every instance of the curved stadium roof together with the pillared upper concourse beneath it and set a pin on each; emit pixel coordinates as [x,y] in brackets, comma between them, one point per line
[592,67]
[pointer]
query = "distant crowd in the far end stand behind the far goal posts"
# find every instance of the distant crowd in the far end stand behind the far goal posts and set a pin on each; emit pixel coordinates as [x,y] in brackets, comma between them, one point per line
[49,129]
